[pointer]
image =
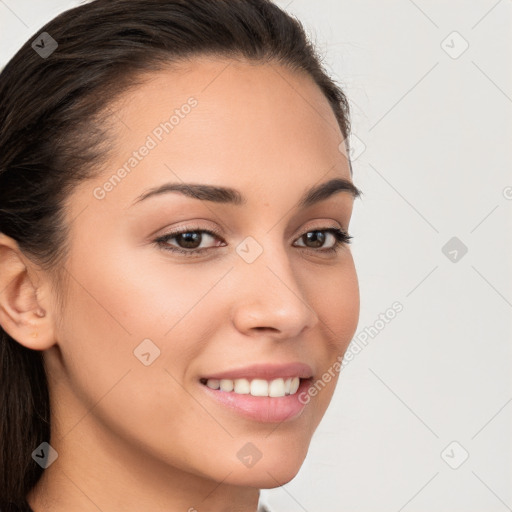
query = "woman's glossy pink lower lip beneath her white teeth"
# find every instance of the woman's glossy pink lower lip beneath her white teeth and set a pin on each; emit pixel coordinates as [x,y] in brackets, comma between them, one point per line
[262,408]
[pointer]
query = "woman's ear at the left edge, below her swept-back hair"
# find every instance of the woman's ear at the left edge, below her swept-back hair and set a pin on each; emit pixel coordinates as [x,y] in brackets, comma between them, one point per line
[25,311]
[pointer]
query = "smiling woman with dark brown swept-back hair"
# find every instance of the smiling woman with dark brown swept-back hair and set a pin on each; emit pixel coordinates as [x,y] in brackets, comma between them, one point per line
[176,286]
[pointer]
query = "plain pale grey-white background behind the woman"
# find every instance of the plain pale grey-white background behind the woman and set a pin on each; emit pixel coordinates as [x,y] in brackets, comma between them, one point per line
[421,418]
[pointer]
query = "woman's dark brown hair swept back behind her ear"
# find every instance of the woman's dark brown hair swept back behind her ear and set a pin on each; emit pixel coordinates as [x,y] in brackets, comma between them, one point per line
[53,133]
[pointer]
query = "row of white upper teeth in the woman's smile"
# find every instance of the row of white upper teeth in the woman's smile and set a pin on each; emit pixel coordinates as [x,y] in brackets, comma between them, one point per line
[257,387]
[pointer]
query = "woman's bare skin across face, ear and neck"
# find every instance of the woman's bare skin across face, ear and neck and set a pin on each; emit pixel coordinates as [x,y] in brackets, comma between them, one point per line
[132,437]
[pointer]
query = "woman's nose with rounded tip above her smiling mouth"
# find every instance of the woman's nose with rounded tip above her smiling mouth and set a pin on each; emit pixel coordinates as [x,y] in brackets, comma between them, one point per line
[270,298]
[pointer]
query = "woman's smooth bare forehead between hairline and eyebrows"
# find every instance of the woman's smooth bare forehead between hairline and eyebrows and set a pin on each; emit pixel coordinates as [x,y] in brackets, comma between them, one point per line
[248,125]
